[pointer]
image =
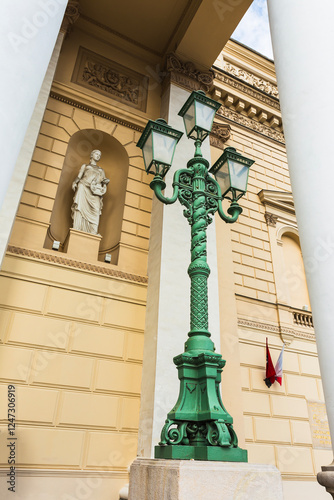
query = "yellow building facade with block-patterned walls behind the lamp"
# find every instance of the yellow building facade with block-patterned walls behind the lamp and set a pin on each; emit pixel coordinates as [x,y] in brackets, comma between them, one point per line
[73,325]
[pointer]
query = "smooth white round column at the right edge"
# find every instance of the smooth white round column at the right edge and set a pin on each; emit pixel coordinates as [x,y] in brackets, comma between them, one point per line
[303,43]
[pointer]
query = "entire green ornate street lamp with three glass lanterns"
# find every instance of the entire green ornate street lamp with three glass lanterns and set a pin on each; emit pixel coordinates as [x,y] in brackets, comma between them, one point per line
[198,427]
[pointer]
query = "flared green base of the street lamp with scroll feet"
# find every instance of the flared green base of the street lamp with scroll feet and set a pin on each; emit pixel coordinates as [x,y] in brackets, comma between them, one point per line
[199,427]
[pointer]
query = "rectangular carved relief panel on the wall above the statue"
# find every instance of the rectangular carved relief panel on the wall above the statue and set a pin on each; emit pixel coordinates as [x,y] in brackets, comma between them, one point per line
[110,79]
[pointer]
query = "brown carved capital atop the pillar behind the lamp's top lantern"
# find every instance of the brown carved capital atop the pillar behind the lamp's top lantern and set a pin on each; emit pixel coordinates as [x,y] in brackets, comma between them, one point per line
[186,75]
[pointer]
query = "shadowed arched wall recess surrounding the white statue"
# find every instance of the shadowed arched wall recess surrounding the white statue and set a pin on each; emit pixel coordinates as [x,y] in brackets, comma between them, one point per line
[115,163]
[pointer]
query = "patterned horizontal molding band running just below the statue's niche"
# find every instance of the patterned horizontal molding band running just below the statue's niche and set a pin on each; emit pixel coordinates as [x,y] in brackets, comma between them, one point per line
[75,264]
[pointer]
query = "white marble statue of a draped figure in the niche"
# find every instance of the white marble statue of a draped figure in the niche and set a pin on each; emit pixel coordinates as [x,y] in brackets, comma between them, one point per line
[89,187]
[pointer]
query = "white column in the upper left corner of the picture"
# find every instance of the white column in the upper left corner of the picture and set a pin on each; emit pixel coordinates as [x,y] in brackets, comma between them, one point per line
[29,51]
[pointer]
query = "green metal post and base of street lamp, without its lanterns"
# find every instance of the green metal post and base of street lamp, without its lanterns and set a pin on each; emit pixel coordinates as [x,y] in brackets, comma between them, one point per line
[198,427]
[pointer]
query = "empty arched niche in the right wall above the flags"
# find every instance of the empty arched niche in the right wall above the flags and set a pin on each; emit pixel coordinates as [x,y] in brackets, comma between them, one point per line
[294,273]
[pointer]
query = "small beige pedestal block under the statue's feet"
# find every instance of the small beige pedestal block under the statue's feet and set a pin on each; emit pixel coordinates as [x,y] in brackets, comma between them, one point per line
[82,246]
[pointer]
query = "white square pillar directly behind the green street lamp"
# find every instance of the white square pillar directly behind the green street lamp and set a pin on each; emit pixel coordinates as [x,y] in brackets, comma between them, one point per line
[168,302]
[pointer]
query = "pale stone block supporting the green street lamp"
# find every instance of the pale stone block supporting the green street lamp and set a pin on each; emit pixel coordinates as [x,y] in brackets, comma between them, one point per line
[154,479]
